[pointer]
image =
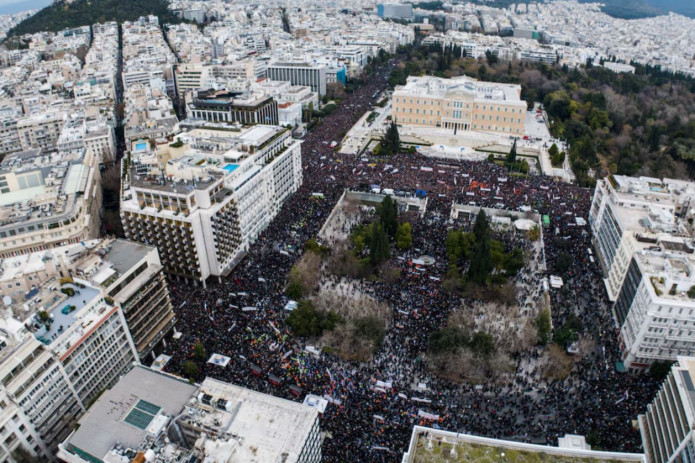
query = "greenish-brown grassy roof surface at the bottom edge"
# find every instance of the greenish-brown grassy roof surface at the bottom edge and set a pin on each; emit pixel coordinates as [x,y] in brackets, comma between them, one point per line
[467,452]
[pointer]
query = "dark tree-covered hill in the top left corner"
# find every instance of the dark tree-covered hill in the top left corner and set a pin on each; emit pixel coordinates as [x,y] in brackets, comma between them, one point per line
[61,15]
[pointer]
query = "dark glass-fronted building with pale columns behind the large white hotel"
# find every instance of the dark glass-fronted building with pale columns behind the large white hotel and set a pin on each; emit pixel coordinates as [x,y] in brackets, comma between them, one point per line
[234,107]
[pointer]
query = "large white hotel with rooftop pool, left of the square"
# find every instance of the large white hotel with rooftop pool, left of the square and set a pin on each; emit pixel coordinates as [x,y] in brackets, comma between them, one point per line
[203,199]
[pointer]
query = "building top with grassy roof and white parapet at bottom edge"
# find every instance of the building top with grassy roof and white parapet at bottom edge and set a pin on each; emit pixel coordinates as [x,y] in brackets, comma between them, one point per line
[436,445]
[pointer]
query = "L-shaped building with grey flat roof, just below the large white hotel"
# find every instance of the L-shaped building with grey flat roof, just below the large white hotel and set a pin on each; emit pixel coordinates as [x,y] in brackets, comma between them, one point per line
[129,273]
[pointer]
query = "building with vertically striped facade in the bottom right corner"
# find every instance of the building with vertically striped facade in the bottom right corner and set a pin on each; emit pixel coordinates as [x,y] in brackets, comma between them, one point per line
[668,426]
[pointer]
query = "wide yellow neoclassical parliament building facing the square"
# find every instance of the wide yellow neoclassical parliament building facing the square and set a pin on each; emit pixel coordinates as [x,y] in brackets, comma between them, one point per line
[460,103]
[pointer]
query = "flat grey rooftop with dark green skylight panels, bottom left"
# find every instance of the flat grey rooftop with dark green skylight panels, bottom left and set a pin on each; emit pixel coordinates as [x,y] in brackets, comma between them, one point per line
[136,405]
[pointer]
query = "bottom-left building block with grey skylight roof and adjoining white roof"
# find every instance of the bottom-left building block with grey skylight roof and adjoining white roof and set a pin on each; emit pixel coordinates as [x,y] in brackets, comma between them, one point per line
[158,416]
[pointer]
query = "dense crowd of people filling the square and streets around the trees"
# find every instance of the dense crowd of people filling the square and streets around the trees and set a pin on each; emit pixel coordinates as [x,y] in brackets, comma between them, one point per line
[374,405]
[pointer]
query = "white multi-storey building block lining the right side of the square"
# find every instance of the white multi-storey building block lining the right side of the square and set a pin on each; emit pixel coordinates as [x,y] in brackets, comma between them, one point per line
[643,235]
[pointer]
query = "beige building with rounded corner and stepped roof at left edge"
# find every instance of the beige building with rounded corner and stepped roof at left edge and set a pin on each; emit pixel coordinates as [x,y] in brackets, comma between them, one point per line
[48,200]
